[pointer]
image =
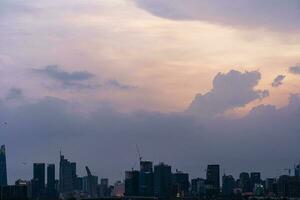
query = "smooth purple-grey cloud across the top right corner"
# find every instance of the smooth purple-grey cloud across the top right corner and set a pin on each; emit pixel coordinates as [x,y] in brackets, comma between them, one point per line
[273,14]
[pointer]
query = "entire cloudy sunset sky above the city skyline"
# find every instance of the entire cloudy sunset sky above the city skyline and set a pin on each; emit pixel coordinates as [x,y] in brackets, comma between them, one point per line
[190,82]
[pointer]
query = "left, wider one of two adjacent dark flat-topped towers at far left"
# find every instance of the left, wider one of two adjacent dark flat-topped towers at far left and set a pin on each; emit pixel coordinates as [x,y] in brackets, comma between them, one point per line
[38,188]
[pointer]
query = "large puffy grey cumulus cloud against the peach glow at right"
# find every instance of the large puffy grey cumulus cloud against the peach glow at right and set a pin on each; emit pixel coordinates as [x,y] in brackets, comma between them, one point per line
[231,90]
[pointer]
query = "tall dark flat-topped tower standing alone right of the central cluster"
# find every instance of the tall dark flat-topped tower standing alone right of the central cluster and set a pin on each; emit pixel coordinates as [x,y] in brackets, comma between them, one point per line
[213,179]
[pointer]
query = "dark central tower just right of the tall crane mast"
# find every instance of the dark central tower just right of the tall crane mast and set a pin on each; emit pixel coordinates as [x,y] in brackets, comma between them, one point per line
[146,179]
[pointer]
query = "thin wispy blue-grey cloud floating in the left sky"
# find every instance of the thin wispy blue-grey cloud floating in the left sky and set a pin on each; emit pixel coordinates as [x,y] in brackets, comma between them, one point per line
[66,80]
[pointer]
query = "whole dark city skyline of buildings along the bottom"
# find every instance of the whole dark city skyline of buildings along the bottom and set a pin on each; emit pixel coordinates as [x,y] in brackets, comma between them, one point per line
[149,182]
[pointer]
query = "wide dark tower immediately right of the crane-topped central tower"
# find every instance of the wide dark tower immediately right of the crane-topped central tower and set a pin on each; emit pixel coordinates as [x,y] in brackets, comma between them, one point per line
[162,181]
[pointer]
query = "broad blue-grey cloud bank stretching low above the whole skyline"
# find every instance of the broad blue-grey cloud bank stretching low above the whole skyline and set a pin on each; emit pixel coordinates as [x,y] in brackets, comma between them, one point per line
[37,131]
